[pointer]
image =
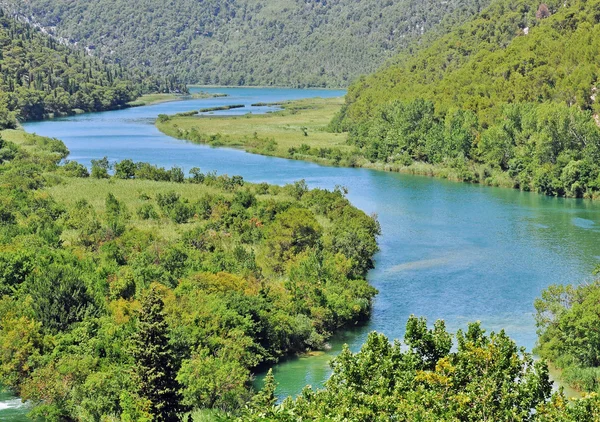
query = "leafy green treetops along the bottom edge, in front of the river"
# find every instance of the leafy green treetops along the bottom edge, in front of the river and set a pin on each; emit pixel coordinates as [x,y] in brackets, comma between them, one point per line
[486,377]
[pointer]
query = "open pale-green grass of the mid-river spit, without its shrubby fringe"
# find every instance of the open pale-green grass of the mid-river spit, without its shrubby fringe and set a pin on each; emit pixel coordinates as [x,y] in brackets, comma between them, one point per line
[287,127]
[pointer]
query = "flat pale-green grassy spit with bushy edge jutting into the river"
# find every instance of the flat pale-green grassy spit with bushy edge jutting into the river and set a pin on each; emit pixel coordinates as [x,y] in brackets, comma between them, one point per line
[298,131]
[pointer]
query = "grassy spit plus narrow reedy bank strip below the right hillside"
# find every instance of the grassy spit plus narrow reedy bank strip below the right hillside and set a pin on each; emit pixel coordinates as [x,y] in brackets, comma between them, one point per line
[299,131]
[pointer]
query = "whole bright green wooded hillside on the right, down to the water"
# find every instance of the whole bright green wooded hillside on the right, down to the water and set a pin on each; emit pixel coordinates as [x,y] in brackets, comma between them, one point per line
[508,98]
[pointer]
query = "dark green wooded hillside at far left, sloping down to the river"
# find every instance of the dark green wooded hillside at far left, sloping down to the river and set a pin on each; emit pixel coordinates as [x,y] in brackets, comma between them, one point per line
[40,77]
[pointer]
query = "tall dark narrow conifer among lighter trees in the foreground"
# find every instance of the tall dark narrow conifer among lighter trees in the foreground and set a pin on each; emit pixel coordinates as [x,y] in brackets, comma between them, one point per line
[155,360]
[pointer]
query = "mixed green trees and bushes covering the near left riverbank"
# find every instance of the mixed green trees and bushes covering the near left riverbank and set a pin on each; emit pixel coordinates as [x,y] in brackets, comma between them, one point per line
[132,292]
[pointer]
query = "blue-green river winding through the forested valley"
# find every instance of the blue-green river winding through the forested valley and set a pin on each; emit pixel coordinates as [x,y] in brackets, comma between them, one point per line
[455,251]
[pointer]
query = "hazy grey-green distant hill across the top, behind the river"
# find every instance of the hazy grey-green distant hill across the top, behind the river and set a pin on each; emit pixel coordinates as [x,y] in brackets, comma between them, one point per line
[247,42]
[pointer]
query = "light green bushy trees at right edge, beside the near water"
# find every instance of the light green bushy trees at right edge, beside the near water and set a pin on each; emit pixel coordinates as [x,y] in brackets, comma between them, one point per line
[567,319]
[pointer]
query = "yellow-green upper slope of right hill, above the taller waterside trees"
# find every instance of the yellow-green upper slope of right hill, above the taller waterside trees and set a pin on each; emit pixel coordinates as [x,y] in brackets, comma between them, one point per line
[505,54]
